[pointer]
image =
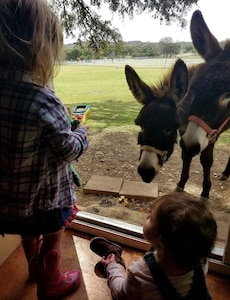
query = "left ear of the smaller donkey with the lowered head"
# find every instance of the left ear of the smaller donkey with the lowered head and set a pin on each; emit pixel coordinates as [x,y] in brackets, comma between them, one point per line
[140,90]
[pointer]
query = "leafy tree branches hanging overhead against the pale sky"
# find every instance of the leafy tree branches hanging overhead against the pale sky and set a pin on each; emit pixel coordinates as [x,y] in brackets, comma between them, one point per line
[79,15]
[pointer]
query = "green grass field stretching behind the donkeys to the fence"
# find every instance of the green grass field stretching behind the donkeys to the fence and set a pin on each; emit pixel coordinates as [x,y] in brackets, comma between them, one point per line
[106,90]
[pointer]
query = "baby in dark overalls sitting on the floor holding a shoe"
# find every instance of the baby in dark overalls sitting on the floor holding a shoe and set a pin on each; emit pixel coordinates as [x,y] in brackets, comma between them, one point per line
[182,233]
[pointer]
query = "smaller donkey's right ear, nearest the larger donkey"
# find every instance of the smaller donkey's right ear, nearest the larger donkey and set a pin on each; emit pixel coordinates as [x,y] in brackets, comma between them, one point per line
[179,81]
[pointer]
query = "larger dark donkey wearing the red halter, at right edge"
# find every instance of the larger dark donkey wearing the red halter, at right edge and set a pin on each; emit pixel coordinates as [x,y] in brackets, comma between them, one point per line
[209,96]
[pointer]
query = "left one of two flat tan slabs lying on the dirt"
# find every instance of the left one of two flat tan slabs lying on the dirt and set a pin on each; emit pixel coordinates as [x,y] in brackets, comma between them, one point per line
[103,185]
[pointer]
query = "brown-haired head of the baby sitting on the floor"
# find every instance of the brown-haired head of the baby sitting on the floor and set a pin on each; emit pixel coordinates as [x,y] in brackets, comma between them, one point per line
[183,227]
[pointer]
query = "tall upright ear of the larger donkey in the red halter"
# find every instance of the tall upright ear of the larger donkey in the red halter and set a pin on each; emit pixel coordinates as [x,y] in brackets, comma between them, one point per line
[203,40]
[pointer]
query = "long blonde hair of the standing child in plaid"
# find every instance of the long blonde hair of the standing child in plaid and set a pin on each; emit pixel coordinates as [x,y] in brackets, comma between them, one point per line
[30,38]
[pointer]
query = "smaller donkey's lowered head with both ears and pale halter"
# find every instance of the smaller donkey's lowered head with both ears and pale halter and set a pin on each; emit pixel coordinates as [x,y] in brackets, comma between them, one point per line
[158,118]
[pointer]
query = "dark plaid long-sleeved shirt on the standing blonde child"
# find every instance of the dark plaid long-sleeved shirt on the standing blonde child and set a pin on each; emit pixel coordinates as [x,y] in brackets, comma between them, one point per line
[37,146]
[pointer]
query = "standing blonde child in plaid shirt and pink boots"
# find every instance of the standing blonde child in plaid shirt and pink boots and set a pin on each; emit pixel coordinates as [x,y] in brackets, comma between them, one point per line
[37,195]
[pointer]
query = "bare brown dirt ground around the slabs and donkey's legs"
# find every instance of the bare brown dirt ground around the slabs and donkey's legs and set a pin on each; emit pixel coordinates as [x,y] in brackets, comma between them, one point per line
[116,154]
